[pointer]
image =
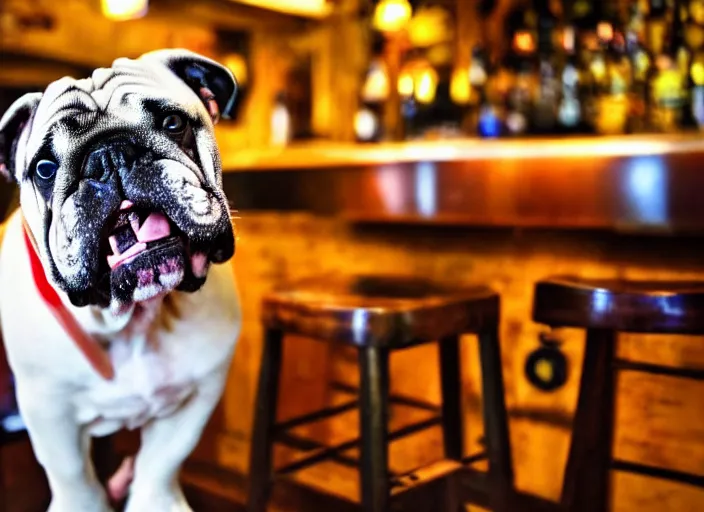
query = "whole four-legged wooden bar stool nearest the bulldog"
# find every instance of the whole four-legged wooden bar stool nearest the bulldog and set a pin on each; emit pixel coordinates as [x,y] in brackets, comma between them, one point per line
[377,315]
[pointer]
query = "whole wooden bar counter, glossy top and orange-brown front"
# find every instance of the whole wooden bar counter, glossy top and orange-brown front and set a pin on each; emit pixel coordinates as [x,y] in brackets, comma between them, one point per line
[469,212]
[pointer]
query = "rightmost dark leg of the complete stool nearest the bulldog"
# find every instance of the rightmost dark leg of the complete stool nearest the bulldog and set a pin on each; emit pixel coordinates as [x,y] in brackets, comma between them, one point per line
[496,421]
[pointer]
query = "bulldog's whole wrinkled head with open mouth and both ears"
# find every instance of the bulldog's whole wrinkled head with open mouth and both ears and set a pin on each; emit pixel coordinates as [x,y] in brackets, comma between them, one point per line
[120,177]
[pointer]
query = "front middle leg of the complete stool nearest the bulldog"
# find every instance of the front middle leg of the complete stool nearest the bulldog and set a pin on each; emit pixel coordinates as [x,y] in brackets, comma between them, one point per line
[374,398]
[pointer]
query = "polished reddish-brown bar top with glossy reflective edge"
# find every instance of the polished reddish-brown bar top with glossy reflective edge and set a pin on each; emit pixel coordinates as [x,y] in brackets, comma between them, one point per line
[651,183]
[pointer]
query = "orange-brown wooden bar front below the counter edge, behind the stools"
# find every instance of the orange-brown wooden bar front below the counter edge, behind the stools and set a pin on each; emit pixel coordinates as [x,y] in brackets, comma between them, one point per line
[273,248]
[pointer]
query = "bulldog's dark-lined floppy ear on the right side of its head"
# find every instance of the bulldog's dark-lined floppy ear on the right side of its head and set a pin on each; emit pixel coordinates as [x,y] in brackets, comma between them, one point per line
[213,82]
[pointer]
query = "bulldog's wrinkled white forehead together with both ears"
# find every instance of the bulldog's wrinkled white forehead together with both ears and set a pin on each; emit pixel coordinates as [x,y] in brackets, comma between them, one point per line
[126,99]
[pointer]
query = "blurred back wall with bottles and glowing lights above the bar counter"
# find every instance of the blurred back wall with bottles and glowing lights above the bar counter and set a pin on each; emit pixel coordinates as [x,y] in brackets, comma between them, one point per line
[346,70]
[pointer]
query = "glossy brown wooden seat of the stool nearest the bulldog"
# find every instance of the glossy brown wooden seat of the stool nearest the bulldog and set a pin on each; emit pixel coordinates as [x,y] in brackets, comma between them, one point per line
[368,310]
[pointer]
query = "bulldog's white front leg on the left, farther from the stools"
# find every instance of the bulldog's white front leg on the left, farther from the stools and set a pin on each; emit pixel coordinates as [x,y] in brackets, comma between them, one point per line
[62,447]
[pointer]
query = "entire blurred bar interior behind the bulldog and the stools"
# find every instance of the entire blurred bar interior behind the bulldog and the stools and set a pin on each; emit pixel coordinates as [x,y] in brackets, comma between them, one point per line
[464,140]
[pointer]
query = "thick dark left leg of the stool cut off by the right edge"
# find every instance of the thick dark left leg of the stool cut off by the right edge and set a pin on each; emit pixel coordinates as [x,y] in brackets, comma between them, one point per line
[586,483]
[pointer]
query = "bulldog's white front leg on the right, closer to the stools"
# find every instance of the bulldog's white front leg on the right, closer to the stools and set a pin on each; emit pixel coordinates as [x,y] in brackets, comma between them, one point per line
[166,443]
